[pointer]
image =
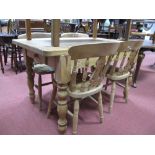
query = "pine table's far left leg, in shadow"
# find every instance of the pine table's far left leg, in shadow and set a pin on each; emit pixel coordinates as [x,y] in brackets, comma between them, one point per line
[30,77]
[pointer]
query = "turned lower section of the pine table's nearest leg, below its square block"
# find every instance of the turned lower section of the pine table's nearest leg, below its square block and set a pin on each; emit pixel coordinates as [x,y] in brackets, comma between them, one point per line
[62,107]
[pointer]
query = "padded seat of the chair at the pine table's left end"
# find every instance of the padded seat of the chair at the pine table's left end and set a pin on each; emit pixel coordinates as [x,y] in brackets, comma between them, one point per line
[43,69]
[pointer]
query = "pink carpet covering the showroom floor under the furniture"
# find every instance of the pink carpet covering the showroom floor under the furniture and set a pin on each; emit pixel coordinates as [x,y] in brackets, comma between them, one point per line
[18,116]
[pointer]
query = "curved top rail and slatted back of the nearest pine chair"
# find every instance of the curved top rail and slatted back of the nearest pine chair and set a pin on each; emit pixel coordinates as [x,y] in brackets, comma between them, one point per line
[83,81]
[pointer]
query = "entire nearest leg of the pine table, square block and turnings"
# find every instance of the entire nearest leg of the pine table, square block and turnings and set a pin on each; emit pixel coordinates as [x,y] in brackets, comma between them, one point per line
[62,78]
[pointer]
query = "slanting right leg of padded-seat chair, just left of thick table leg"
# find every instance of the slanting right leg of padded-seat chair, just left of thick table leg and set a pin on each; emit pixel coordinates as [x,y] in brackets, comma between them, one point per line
[54,92]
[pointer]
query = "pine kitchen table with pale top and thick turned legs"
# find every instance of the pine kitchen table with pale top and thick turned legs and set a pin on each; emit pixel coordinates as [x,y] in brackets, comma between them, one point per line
[42,51]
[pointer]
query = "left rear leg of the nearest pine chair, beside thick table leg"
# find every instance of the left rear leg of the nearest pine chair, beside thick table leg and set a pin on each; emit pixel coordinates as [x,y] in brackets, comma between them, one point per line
[75,116]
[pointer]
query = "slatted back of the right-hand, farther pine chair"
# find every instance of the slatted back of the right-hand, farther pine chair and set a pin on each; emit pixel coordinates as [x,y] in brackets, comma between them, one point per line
[126,57]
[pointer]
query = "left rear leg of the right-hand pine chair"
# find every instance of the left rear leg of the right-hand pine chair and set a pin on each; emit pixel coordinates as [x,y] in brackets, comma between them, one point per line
[112,96]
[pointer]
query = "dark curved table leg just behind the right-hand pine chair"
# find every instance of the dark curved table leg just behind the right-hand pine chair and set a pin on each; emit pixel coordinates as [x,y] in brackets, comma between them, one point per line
[138,65]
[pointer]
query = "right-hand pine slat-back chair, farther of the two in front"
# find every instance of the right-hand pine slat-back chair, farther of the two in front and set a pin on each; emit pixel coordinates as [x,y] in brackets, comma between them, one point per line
[123,67]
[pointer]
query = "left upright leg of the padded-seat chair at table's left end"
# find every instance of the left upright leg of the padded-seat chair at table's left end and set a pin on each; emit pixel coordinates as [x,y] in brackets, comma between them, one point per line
[40,91]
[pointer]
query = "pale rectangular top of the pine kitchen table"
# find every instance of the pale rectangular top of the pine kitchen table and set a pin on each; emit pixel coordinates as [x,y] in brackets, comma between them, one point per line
[43,46]
